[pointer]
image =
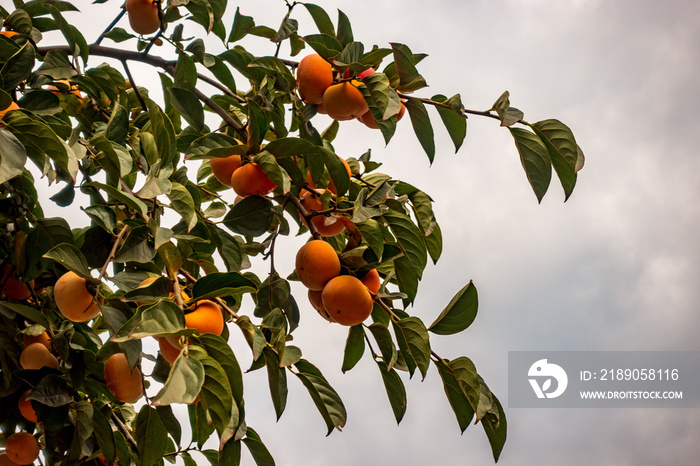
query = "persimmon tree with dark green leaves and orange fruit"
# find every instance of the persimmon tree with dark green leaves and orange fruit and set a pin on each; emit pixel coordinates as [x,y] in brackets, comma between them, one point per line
[167,251]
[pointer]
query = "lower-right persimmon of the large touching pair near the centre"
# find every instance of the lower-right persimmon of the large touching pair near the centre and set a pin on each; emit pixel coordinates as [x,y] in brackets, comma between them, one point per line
[347,300]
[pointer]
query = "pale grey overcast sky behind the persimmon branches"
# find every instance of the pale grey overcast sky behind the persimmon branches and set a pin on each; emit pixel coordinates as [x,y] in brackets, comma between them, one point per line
[614,268]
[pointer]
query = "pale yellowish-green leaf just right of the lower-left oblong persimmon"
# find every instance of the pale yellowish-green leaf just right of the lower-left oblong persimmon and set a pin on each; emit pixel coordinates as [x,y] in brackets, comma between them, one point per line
[183,384]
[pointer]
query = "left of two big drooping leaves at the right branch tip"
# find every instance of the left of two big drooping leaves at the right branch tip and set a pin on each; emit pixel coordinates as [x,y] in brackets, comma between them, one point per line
[535,159]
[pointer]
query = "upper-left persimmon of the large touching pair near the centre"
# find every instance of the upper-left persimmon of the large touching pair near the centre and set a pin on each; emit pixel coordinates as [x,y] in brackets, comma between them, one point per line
[316,264]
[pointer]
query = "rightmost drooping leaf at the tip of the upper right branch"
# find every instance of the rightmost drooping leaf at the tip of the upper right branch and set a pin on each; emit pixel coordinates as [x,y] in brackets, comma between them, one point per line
[563,151]
